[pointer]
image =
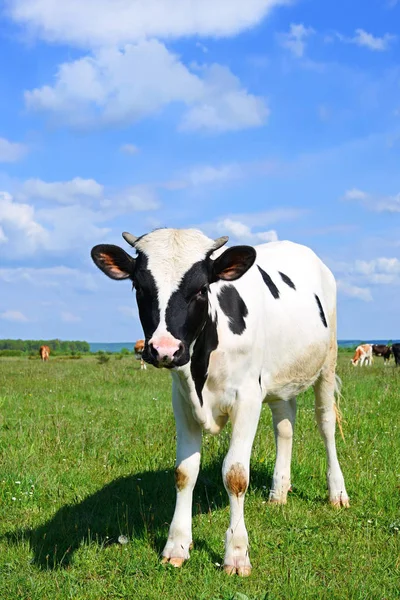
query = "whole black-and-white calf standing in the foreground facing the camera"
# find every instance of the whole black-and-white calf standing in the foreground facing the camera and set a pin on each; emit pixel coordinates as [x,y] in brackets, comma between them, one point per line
[236,327]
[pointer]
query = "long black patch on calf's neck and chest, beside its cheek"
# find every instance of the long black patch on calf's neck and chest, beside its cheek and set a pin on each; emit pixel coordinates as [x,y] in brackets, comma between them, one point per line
[205,344]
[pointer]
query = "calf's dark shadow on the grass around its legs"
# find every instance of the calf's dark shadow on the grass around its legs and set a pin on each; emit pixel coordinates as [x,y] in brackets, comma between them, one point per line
[138,506]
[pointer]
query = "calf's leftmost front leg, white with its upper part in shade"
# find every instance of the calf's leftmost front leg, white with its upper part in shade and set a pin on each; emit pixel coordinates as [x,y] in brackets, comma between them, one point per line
[187,466]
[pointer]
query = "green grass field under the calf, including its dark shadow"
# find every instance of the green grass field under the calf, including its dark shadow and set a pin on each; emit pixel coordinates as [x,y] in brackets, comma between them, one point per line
[87,453]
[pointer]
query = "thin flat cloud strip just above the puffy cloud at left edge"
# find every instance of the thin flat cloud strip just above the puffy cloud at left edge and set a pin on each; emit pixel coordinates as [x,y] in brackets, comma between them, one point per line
[64,192]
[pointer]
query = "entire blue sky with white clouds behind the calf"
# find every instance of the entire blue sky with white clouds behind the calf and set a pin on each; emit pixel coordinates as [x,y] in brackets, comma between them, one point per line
[263,120]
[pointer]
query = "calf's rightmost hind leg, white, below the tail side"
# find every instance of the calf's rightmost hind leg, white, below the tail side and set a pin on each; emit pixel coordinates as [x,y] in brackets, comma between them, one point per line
[326,419]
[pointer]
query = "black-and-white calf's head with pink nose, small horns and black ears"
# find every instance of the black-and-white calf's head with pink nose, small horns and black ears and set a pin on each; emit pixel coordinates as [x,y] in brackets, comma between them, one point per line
[172,273]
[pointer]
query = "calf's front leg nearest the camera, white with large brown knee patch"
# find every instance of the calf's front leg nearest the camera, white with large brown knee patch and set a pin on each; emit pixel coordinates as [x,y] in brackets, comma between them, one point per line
[235,472]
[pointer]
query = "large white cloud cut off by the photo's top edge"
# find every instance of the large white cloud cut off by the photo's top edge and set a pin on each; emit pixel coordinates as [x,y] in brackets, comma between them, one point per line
[95,23]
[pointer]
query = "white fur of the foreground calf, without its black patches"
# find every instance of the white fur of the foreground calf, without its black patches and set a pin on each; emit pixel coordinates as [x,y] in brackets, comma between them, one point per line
[284,343]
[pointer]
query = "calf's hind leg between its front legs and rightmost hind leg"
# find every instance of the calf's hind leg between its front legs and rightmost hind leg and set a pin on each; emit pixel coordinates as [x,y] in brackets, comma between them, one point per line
[283,418]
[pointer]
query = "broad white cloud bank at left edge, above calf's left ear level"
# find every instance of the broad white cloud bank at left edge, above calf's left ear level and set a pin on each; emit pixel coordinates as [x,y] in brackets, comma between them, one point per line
[78,215]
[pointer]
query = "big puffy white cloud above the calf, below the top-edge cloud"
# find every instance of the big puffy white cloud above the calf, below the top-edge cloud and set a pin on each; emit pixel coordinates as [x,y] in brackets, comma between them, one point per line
[122,86]
